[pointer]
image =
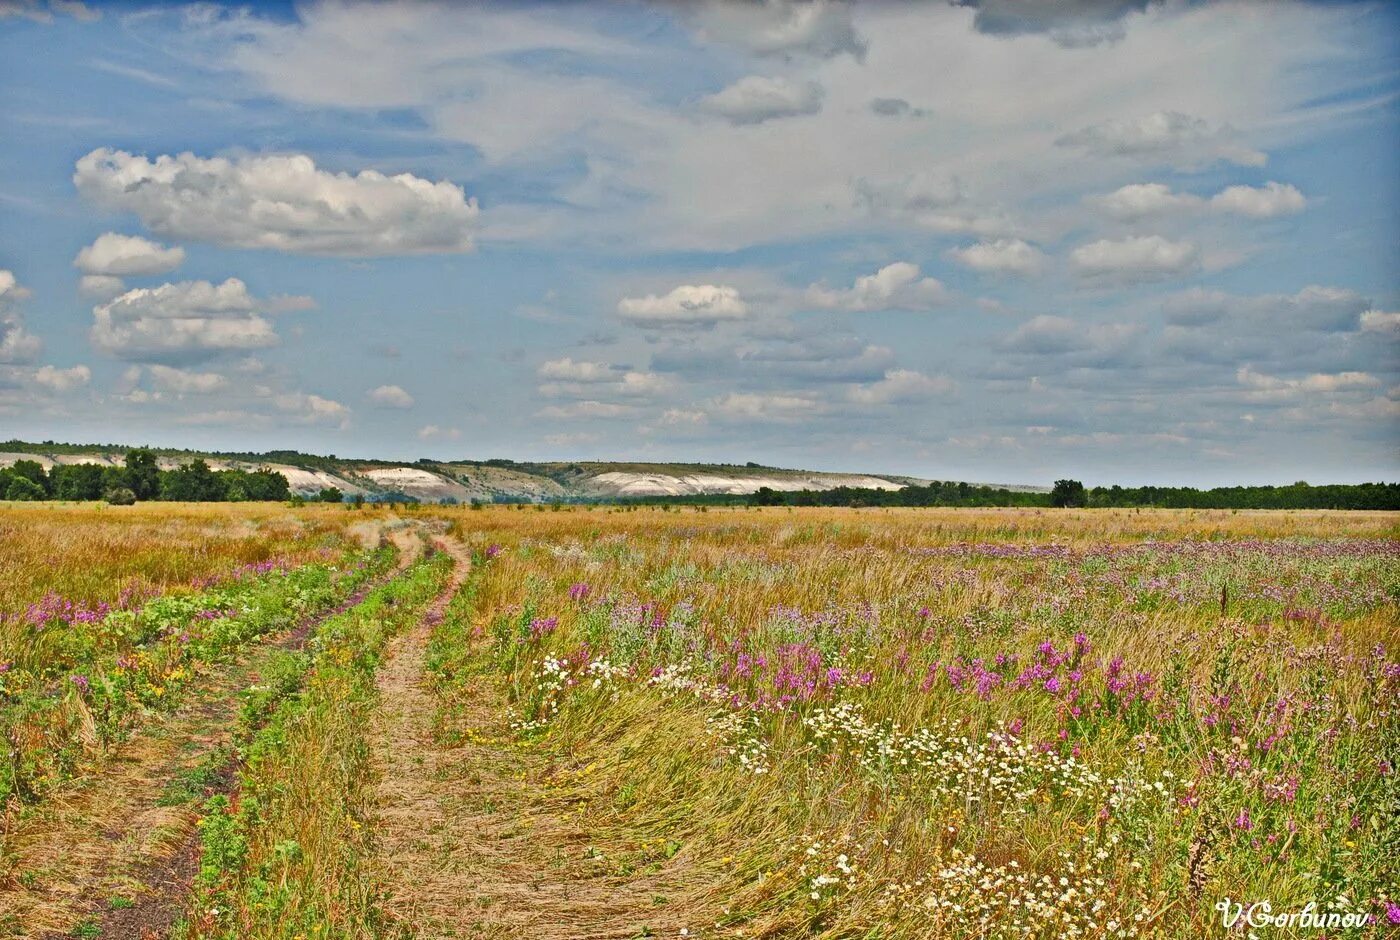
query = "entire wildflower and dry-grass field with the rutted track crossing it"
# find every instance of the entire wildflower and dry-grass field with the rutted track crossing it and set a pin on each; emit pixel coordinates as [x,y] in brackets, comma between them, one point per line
[267,722]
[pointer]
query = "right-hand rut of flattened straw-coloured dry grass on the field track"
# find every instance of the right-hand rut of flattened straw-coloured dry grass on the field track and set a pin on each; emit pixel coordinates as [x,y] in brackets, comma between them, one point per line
[471,845]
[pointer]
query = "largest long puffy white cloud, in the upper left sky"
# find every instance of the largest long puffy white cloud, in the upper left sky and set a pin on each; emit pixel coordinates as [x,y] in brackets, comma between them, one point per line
[281,202]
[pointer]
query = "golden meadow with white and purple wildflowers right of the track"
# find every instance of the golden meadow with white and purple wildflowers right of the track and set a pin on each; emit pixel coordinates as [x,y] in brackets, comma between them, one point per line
[962,724]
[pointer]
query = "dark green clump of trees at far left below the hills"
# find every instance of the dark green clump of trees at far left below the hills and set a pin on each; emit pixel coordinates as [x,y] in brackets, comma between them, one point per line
[141,480]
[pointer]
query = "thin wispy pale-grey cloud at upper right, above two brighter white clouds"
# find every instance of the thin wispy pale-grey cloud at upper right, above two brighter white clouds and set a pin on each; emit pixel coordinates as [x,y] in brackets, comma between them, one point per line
[1168,138]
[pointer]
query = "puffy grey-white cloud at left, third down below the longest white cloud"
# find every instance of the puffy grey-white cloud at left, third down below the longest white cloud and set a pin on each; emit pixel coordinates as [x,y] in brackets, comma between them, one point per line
[188,322]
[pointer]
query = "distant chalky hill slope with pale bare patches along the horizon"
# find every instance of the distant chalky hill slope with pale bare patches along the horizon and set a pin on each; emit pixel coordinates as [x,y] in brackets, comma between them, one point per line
[485,481]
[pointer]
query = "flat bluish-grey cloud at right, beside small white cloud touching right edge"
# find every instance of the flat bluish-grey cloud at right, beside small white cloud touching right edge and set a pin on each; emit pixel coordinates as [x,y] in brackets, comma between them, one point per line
[1311,309]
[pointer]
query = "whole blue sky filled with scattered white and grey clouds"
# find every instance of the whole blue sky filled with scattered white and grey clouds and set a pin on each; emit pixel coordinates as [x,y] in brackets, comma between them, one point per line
[1126,242]
